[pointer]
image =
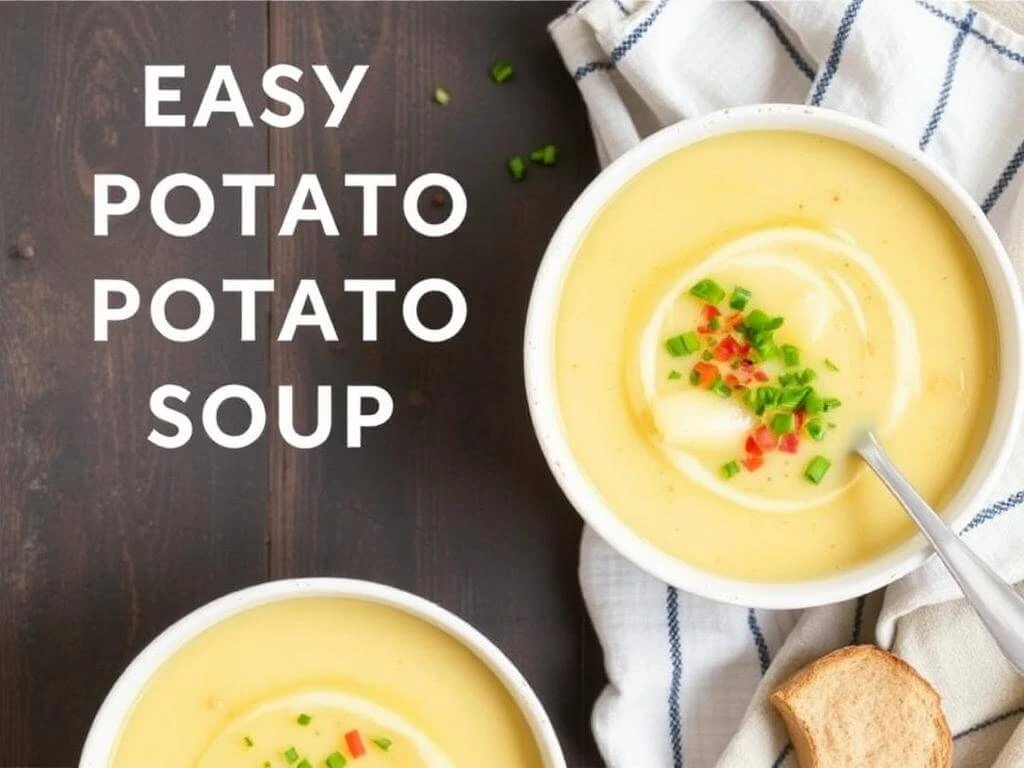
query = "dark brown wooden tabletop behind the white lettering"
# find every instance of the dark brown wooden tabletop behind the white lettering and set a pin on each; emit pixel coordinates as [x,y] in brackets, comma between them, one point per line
[106,539]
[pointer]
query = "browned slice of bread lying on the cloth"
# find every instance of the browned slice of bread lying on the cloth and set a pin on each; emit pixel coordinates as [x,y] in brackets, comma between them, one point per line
[863,708]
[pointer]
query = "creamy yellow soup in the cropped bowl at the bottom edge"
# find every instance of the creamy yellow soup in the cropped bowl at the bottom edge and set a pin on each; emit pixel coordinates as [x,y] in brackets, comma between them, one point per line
[325,684]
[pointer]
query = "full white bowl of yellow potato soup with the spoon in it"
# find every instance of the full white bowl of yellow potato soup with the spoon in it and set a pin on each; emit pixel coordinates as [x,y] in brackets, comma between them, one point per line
[727,308]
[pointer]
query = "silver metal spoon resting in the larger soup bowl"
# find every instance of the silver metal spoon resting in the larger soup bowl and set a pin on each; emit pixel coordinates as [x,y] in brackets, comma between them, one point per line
[1001,609]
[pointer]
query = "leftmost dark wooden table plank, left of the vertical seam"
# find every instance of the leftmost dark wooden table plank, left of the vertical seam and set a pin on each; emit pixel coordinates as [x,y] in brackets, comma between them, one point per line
[106,539]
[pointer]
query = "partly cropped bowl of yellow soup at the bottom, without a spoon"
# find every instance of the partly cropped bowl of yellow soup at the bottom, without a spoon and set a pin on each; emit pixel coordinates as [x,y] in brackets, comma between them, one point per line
[321,673]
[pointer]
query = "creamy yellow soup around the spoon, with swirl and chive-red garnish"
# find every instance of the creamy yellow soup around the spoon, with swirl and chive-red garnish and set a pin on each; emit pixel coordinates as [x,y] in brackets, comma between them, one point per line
[736,317]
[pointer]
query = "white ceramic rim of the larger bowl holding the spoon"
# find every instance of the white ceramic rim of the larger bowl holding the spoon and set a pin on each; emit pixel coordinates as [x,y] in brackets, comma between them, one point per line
[543,397]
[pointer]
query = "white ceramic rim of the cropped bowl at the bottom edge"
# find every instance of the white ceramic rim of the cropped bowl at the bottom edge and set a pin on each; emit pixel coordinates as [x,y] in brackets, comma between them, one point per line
[102,742]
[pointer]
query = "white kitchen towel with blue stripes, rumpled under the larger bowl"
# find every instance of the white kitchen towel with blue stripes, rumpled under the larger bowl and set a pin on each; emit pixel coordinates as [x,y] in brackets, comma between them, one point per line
[689,677]
